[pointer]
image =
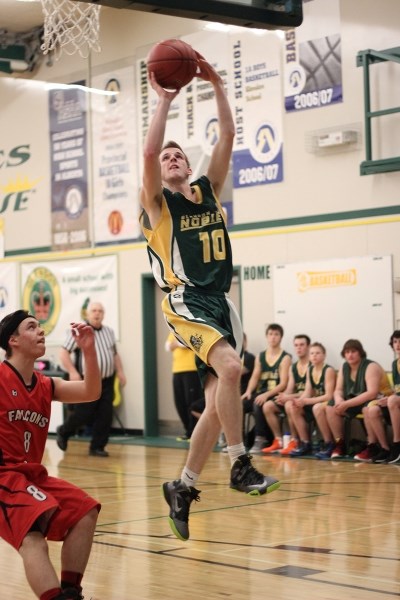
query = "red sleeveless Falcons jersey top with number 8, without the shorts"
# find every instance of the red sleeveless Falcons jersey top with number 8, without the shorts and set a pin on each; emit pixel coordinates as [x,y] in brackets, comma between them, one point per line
[24,416]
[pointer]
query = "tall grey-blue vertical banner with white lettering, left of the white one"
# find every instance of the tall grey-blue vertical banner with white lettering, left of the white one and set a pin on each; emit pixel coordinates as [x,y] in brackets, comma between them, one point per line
[69,179]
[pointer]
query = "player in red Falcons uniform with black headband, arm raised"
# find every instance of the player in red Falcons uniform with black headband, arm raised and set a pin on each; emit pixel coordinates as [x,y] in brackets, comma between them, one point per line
[34,506]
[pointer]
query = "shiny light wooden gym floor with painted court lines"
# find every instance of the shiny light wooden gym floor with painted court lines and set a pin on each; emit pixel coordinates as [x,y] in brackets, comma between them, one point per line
[332,531]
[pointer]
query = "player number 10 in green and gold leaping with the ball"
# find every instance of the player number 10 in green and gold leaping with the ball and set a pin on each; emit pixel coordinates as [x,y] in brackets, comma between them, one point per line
[191,259]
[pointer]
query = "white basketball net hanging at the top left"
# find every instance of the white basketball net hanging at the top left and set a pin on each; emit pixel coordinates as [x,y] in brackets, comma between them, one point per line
[70,27]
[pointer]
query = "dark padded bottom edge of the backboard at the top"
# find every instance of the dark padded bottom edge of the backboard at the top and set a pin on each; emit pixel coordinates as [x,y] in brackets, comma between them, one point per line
[260,14]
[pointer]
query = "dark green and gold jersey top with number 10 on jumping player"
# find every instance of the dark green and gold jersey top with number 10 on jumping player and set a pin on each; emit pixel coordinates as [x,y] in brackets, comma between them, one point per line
[190,243]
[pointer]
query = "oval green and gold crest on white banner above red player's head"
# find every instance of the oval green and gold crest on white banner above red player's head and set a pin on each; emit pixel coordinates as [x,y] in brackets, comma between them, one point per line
[42,297]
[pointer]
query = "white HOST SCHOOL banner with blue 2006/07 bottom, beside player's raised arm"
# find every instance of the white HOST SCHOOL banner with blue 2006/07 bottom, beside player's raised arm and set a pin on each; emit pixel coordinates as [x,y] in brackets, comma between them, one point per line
[257,106]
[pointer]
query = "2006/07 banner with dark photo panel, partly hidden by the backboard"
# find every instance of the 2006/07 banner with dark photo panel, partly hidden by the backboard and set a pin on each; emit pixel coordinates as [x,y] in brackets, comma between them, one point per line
[313,63]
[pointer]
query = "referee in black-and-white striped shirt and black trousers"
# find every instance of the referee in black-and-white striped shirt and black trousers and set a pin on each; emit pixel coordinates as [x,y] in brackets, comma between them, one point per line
[98,414]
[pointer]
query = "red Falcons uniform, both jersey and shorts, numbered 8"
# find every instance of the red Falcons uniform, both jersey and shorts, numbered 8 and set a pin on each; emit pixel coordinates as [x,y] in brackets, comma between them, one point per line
[28,495]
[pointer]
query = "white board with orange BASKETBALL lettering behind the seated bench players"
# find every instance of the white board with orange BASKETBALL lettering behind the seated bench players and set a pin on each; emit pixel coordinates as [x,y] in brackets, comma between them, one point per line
[333,301]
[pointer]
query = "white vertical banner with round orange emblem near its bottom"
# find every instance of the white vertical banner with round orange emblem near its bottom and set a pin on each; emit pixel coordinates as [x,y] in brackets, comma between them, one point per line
[115,178]
